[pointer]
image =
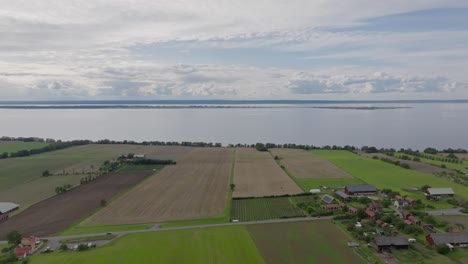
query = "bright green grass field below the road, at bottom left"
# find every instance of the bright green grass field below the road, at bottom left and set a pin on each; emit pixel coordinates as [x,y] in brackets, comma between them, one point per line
[208,245]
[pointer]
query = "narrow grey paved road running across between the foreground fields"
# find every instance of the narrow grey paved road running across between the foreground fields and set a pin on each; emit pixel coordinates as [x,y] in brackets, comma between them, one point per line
[54,242]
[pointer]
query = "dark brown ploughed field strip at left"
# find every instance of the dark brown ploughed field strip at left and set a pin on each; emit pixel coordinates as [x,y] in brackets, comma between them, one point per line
[58,212]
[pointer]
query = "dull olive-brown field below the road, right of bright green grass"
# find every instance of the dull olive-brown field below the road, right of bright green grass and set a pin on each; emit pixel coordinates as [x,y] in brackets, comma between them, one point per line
[302,242]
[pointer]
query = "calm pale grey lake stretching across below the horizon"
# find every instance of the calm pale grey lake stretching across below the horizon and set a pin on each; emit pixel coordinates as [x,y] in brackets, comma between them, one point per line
[439,125]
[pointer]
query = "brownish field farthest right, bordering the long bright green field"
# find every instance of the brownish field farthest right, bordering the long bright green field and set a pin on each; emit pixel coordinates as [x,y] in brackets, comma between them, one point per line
[303,164]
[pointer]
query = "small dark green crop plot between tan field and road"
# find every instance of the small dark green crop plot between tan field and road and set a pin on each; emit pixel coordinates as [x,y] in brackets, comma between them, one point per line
[264,208]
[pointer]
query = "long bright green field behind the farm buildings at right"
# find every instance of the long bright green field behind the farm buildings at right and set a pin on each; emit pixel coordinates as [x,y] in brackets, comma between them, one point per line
[385,175]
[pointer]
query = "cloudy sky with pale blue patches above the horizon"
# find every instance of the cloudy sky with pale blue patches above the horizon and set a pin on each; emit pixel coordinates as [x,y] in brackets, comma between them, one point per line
[237,50]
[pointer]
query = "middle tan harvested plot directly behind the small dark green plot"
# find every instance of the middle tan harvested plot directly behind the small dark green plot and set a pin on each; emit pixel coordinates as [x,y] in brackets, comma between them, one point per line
[257,174]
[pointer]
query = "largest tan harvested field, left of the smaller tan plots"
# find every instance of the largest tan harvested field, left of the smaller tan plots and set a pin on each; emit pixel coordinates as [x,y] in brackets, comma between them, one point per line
[196,187]
